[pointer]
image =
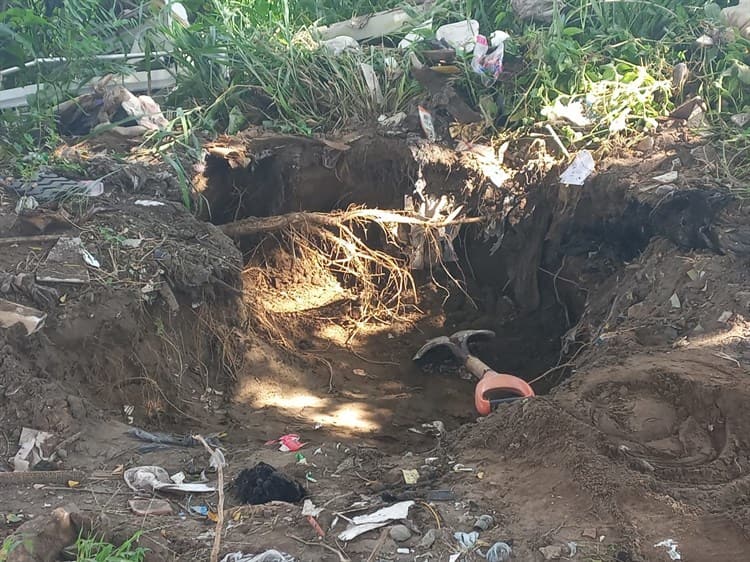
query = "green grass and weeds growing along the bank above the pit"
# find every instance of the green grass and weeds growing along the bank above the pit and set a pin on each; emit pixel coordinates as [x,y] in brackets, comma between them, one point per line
[246,62]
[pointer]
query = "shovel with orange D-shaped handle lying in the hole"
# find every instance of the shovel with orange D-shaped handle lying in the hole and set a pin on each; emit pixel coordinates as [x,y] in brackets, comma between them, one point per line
[492,387]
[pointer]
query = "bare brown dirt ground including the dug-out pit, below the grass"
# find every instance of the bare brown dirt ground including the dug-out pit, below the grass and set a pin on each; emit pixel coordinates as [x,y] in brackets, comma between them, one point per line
[623,303]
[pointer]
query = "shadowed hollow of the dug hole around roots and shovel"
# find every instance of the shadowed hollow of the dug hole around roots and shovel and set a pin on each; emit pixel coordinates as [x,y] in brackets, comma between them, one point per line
[531,292]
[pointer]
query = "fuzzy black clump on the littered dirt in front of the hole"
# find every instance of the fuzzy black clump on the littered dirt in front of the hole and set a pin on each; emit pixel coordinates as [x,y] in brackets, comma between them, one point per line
[263,483]
